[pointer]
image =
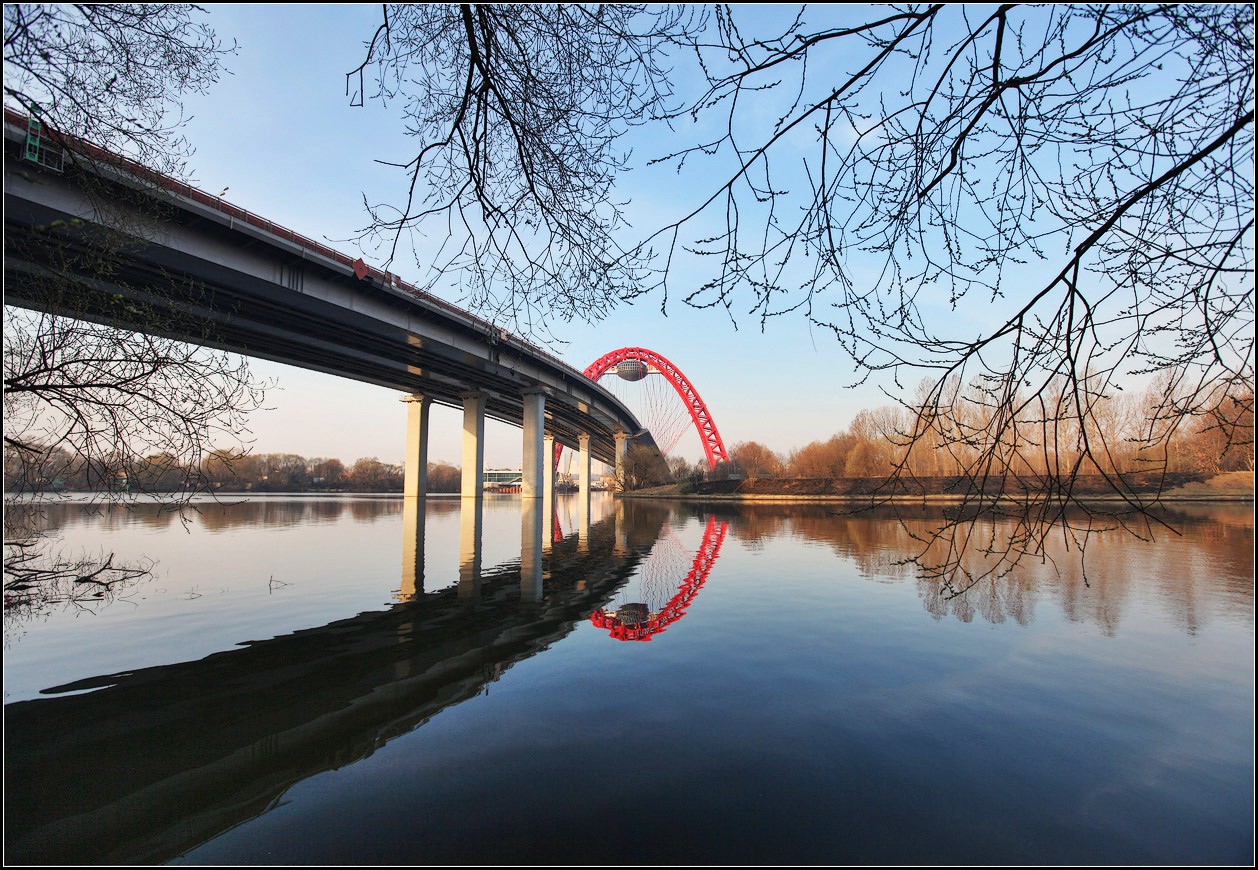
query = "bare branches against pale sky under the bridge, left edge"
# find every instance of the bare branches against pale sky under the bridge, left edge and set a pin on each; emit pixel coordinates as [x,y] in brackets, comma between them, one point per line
[126,405]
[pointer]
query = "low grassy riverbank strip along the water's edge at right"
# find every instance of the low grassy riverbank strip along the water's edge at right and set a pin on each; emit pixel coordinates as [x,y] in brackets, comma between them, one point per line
[1184,487]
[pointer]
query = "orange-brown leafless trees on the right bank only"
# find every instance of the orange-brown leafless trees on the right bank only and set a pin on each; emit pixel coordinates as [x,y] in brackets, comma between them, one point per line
[1125,434]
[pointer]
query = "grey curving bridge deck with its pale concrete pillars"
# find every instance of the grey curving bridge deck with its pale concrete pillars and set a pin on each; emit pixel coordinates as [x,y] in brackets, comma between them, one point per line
[271,294]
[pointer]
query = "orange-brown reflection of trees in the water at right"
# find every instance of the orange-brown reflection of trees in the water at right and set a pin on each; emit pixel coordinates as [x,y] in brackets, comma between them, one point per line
[1217,542]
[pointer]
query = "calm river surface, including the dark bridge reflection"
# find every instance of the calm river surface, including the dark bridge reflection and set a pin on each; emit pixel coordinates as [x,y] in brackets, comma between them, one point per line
[672,685]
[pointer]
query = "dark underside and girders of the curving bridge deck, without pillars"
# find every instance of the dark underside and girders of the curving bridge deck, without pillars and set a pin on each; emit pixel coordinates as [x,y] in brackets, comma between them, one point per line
[225,286]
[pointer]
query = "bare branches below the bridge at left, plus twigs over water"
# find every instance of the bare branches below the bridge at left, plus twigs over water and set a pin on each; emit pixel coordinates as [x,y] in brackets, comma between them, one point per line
[128,414]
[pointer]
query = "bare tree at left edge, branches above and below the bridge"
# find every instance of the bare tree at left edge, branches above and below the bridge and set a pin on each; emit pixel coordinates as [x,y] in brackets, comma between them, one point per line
[135,412]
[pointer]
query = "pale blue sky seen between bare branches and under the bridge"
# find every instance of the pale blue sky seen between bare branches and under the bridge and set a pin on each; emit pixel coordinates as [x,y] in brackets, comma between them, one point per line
[281,138]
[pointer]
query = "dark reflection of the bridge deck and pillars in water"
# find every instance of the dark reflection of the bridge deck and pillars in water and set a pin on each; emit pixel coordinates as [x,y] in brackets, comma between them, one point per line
[143,766]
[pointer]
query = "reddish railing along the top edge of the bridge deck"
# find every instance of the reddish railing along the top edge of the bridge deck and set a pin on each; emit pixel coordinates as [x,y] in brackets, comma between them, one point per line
[235,212]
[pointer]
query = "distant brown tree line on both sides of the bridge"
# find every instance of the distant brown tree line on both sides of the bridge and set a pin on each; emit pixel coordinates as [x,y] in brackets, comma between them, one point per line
[920,442]
